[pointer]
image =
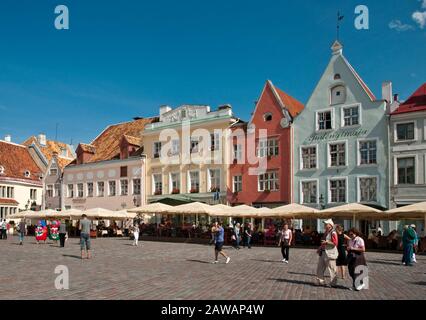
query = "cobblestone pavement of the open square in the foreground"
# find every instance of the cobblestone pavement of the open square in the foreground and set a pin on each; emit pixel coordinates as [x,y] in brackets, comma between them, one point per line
[158,270]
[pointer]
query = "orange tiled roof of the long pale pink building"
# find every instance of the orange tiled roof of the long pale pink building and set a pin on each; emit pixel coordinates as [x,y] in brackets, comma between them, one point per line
[107,144]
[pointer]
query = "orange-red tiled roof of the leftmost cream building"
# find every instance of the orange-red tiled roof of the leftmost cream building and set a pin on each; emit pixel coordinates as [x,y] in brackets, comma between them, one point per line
[16,160]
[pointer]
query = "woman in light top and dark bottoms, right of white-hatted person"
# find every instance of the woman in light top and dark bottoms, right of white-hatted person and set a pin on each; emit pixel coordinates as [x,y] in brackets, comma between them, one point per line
[356,257]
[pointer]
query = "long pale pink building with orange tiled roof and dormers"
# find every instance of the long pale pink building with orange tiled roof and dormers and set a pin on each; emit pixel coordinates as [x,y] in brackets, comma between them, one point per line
[110,172]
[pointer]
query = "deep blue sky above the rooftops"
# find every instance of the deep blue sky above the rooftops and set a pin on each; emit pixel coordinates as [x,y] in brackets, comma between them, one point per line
[125,58]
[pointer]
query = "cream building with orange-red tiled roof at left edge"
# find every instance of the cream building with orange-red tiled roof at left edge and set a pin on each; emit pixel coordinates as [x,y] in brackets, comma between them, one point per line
[21,183]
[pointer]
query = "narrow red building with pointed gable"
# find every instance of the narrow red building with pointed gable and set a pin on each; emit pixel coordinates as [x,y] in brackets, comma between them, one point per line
[274,112]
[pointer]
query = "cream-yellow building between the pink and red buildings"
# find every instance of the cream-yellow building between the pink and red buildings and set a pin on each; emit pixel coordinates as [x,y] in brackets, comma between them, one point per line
[186,151]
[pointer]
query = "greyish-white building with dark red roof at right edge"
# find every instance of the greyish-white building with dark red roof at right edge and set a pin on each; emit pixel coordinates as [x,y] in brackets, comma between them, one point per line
[408,150]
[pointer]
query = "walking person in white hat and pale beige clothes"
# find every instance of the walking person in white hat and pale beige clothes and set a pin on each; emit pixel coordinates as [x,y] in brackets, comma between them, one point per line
[328,254]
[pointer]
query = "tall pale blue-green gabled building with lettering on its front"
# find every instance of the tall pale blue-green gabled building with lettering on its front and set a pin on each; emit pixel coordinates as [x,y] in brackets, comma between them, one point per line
[341,142]
